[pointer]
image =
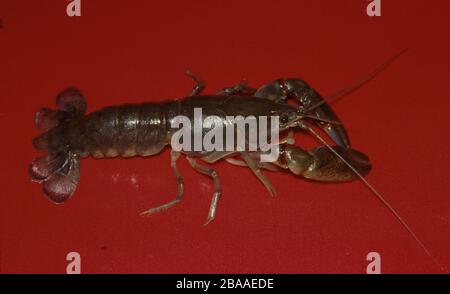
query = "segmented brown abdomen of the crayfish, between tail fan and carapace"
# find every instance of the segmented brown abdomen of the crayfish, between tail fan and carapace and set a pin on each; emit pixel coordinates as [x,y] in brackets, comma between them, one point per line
[124,130]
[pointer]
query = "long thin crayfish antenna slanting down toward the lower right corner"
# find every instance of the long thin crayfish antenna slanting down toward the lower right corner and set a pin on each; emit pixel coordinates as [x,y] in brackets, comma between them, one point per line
[305,126]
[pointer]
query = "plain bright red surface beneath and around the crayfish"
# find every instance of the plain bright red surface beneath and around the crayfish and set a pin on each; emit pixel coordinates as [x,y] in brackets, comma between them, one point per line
[120,52]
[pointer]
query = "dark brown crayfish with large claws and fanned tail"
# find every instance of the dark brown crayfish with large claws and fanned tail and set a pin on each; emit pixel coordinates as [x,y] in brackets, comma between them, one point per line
[146,129]
